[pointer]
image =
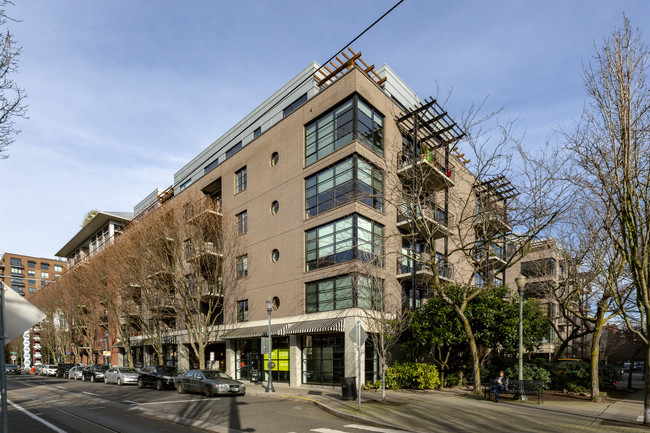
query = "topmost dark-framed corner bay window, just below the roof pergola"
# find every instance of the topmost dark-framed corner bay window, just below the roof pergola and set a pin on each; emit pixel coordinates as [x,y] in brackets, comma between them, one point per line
[353,119]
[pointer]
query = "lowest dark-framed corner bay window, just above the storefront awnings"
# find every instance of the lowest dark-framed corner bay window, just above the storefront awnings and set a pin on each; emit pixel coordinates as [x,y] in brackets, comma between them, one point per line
[345,291]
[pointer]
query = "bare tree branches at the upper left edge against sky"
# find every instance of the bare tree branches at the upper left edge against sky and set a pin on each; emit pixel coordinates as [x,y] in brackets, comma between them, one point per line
[11,95]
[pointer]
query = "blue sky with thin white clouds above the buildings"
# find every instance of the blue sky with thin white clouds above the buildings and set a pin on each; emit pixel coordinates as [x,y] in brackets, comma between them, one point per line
[123,93]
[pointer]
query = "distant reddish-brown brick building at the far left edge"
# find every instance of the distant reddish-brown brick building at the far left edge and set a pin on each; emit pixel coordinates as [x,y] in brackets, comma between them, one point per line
[27,275]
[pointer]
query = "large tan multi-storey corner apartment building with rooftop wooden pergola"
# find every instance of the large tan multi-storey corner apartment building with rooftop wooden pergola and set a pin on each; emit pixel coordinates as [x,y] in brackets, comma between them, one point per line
[315,178]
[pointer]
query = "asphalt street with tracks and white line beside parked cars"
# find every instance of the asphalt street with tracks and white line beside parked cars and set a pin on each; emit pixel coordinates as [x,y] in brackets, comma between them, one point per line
[40,404]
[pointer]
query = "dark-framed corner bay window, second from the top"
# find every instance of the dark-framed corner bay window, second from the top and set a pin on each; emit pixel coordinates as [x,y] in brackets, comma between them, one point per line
[349,180]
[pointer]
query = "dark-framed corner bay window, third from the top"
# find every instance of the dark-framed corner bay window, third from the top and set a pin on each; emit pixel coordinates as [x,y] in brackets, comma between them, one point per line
[350,238]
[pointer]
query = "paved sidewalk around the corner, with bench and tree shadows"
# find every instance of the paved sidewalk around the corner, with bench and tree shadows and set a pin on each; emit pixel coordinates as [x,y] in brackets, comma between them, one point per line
[458,411]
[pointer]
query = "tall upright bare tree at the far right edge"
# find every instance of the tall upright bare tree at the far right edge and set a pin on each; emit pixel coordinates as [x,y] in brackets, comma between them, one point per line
[611,145]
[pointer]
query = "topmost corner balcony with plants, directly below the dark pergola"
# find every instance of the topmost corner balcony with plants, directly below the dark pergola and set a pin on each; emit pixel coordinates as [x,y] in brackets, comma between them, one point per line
[431,170]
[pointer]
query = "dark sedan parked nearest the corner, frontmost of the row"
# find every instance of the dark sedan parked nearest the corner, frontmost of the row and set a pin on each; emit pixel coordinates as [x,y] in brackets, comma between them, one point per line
[208,382]
